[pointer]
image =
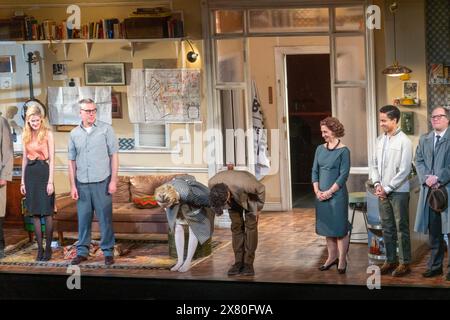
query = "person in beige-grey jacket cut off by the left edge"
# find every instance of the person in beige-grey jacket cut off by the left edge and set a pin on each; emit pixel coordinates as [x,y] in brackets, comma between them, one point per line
[6,166]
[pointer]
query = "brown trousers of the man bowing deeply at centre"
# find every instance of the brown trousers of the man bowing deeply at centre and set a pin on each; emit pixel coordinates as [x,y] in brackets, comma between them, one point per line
[244,233]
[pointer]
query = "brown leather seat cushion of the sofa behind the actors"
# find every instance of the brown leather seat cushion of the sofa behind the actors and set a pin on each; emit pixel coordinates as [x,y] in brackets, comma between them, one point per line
[123,212]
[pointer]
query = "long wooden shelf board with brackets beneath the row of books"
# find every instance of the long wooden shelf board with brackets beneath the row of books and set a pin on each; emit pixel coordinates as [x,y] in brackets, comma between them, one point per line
[88,43]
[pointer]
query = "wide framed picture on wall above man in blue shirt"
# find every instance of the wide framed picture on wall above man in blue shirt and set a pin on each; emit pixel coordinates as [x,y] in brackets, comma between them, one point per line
[104,74]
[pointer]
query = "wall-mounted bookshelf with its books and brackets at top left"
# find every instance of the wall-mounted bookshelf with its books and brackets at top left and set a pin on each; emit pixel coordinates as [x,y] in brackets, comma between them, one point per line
[135,22]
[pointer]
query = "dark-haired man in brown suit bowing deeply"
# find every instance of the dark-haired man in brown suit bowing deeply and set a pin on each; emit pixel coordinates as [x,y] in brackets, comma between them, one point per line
[242,194]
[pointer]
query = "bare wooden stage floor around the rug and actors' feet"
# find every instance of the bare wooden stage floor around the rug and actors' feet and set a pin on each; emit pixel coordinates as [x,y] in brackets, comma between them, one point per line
[289,251]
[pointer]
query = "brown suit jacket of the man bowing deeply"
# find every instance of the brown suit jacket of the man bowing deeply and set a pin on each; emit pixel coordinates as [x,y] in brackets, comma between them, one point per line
[246,190]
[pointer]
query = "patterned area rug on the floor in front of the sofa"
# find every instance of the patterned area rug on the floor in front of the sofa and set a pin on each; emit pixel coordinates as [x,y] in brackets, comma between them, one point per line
[129,254]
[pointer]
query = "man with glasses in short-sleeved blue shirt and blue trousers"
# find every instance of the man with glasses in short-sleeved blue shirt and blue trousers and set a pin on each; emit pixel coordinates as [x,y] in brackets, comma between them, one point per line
[93,166]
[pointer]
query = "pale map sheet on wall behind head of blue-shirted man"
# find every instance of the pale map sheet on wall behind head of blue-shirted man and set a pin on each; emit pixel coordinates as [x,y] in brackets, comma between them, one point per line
[63,107]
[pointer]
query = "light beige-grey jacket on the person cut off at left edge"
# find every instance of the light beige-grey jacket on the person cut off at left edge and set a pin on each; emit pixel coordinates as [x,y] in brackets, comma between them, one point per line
[6,150]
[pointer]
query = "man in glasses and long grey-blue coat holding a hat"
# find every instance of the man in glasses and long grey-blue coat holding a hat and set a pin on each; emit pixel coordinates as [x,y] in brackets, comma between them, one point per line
[433,169]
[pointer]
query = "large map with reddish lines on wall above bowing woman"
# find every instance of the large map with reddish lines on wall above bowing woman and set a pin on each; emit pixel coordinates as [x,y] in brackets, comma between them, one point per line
[164,95]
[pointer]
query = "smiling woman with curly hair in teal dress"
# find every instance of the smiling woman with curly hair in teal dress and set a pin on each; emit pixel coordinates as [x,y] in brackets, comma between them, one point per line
[329,175]
